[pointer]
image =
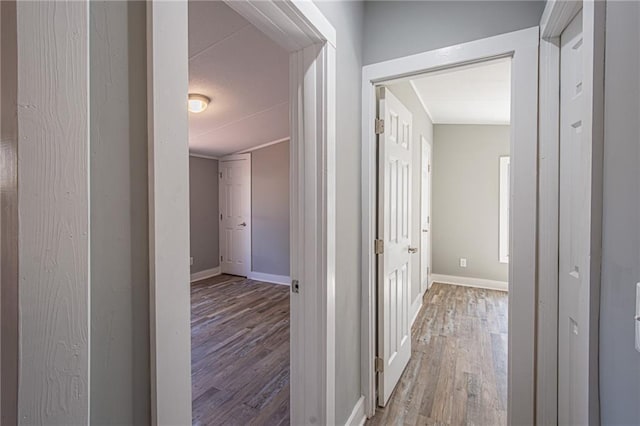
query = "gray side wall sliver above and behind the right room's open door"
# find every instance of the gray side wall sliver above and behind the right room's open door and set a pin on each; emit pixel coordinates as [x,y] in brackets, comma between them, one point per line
[422,126]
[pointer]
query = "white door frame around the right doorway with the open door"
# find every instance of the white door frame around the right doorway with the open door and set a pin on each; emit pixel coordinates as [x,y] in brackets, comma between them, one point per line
[522,46]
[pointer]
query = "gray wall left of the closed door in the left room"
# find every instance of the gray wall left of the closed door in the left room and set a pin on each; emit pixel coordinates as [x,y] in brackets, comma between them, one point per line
[204,224]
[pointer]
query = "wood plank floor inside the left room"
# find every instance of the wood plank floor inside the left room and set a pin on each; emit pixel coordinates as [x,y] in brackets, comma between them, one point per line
[239,352]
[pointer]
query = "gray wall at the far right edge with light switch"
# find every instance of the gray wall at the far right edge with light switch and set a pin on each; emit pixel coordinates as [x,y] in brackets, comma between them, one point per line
[619,362]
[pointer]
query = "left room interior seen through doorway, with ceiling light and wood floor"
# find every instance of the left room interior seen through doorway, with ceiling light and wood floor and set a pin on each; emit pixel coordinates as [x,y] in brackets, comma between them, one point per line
[239,219]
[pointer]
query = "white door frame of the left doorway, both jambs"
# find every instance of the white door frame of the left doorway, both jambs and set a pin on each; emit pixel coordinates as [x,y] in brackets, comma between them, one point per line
[303,30]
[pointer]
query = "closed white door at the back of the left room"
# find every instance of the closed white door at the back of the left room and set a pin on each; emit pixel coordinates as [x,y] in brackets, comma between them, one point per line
[235,214]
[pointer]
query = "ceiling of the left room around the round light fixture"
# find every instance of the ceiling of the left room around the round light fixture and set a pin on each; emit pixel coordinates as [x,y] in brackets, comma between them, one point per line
[246,76]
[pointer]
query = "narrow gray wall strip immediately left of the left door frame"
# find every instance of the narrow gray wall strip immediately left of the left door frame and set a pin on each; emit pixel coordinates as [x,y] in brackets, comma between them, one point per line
[119,215]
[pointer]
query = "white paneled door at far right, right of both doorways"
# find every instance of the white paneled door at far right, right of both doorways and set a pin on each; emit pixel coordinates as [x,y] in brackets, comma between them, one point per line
[575,159]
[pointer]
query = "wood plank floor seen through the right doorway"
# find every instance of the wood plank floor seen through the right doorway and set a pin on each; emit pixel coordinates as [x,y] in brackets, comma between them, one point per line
[458,369]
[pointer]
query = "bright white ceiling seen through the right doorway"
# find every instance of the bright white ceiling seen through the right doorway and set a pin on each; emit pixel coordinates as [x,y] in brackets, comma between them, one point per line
[473,94]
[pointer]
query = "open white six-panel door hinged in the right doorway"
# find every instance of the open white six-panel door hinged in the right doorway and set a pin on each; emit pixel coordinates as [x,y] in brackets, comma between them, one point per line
[394,260]
